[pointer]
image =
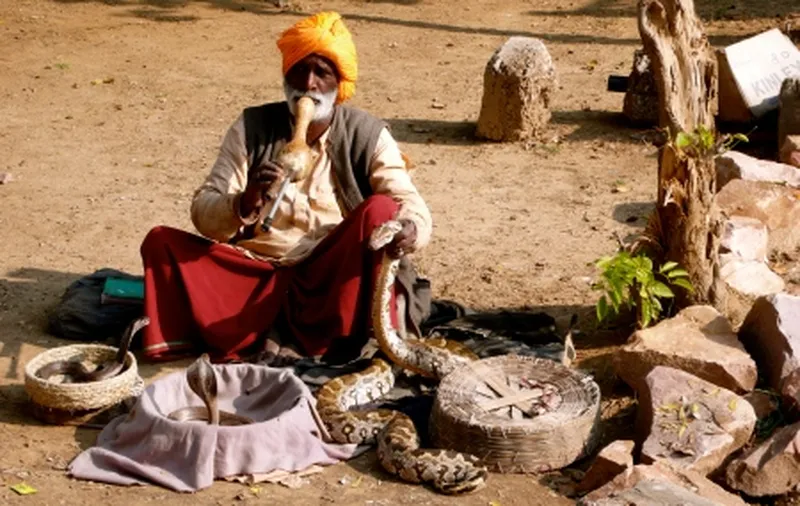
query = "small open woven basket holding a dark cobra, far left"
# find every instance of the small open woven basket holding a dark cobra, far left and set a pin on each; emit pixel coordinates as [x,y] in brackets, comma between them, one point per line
[81,396]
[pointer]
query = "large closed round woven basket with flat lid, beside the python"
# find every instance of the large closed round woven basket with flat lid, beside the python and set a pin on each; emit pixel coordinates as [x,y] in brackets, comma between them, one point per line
[517,414]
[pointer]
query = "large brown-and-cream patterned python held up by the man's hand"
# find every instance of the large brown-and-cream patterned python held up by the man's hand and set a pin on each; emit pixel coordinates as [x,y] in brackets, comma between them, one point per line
[399,449]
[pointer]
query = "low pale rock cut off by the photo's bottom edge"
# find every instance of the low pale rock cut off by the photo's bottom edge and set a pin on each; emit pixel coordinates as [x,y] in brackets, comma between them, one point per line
[661,484]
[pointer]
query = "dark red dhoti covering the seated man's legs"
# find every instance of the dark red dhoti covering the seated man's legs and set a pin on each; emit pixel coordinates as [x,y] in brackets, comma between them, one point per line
[204,295]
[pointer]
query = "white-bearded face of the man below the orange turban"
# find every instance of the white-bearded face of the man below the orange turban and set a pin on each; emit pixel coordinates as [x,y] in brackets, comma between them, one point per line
[315,77]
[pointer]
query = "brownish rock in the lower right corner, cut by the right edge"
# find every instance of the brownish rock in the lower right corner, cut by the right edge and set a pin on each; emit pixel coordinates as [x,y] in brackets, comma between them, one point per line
[772,468]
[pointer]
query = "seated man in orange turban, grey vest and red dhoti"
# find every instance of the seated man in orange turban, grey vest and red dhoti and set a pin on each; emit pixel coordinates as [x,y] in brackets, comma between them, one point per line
[312,273]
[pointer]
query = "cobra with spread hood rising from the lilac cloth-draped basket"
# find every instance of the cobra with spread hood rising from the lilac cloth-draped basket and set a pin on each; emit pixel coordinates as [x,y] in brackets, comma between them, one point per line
[203,381]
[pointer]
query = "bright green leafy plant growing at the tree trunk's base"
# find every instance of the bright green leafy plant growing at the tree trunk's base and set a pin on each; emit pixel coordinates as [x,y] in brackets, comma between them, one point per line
[632,282]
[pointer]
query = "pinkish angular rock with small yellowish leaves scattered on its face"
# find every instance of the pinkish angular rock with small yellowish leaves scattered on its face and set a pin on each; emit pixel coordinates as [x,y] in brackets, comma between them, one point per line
[690,422]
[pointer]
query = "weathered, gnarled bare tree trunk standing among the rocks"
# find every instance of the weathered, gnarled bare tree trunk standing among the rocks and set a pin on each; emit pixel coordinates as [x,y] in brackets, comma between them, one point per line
[685,72]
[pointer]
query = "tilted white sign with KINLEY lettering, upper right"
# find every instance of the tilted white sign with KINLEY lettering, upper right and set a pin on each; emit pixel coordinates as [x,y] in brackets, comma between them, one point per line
[759,66]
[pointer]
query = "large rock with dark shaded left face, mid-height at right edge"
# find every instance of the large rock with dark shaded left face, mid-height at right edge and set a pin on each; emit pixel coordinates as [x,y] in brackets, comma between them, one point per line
[771,334]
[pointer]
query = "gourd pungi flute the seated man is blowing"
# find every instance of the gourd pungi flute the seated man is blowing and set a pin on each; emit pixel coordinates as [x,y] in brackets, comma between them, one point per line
[296,157]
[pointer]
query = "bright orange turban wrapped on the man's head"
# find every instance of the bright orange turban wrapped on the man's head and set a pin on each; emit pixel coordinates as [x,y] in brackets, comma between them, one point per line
[323,34]
